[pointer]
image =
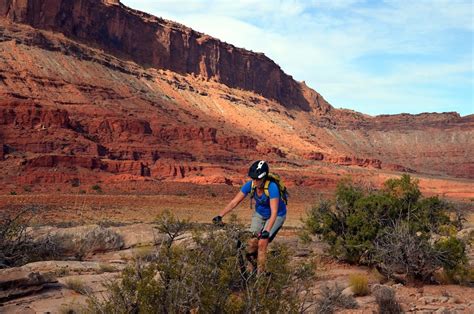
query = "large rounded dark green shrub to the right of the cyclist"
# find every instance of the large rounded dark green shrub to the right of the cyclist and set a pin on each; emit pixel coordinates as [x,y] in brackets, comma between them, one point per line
[366,226]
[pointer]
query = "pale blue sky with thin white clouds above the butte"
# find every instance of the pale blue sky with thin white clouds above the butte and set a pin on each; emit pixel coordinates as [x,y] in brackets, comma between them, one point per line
[376,57]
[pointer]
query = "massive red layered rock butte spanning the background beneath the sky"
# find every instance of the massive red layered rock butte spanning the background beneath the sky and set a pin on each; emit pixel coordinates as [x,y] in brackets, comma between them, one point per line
[93,91]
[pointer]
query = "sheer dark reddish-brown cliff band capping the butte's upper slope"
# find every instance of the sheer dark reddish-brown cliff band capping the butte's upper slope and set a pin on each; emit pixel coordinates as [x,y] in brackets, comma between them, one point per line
[154,42]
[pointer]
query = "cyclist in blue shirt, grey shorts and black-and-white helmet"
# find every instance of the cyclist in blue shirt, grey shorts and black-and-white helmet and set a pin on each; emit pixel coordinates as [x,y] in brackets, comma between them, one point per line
[269,215]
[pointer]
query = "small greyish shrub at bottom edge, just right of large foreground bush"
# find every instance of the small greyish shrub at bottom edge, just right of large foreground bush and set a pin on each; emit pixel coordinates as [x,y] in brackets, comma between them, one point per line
[332,299]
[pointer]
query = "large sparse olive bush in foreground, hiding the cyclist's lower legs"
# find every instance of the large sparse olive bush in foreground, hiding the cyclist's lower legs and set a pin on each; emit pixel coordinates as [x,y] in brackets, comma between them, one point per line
[208,276]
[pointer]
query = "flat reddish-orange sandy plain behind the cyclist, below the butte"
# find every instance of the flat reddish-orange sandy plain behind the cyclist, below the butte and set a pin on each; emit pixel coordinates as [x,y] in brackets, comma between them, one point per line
[197,202]
